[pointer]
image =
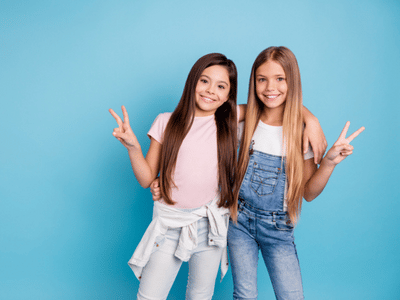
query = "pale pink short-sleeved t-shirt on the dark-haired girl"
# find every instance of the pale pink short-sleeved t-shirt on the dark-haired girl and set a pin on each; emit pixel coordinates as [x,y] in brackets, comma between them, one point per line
[196,170]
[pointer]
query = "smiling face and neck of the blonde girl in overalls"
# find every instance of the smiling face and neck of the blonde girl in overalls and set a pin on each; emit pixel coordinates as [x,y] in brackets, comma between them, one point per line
[271,86]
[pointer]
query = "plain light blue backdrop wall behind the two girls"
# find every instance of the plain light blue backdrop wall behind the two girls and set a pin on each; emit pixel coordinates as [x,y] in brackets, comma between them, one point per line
[71,211]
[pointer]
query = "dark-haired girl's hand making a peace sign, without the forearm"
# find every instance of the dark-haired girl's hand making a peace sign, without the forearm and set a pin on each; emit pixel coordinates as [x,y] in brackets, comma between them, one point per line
[124,132]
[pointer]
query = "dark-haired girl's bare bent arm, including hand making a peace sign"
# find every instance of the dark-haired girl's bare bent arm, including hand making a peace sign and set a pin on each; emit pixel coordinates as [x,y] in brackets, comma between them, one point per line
[145,169]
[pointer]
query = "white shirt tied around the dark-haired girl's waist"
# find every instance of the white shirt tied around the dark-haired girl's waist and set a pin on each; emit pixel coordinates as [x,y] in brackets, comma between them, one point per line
[165,217]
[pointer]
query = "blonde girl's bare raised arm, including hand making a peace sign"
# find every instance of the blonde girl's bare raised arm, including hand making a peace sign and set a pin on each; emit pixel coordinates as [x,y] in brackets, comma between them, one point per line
[317,178]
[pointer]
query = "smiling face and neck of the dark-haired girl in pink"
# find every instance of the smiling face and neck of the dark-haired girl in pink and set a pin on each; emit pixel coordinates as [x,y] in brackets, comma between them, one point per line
[212,90]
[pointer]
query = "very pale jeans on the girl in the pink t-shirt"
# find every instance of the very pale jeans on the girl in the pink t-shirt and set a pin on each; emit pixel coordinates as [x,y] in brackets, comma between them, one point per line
[160,272]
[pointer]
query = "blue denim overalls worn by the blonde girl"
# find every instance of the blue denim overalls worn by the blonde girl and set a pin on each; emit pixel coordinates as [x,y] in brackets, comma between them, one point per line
[263,225]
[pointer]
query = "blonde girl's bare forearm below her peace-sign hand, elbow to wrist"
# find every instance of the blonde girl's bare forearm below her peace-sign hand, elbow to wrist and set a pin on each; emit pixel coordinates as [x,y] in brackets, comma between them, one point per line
[318,181]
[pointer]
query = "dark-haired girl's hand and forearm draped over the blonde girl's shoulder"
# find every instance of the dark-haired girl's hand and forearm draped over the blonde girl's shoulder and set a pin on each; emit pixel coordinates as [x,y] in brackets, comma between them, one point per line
[314,135]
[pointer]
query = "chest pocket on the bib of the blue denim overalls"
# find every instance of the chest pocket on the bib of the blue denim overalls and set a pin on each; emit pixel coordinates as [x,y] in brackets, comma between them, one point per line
[264,179]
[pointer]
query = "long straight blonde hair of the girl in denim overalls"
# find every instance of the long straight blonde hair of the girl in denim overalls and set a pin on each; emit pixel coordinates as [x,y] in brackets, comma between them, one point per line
[292,127]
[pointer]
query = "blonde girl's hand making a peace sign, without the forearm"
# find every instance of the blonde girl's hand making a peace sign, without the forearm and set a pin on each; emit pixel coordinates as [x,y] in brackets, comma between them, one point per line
[342,148]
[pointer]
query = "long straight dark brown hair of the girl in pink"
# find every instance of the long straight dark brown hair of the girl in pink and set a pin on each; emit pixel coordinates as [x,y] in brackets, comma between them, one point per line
[181,121]
